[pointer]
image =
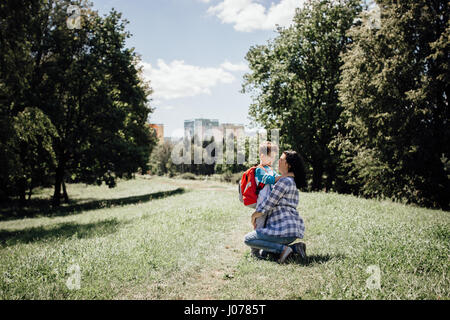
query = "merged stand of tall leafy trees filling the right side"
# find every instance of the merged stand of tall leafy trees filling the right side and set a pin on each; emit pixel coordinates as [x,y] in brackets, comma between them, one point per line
[362,92]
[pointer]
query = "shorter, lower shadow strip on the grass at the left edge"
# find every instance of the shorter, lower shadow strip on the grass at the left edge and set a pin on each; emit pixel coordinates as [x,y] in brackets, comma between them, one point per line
[59,232]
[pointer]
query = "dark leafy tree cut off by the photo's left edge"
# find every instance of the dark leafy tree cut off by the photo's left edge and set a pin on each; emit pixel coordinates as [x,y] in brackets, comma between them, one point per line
[24,130]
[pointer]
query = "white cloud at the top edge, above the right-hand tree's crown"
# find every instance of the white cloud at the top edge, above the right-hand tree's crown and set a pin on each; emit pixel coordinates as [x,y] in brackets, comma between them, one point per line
[246,15]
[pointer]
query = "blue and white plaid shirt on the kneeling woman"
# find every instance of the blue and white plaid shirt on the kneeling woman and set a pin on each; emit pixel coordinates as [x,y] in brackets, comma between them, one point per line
[280,207]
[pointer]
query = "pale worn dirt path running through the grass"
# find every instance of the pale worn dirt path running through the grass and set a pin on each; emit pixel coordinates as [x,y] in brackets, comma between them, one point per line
[201,282]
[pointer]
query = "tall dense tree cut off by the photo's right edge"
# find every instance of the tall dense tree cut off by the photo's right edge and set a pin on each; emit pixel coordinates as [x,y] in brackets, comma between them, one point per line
[394,91]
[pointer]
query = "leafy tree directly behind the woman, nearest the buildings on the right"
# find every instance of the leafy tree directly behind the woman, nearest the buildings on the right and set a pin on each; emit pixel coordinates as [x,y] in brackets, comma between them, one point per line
[293,81]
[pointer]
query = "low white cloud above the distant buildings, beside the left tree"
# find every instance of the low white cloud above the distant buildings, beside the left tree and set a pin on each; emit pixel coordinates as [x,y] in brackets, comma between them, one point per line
[177,79]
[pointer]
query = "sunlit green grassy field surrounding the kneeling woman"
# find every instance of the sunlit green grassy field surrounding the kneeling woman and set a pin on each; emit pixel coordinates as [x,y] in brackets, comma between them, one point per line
[161,238]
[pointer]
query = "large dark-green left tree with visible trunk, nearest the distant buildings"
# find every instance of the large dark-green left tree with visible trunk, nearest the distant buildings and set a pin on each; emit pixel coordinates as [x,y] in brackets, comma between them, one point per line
[102,122]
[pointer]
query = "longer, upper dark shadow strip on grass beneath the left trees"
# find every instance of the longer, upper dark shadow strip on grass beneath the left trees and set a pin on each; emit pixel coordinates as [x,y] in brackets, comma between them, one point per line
[43,207]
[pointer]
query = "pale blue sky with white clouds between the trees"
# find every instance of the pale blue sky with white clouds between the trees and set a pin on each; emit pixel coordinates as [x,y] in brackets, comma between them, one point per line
[193,53]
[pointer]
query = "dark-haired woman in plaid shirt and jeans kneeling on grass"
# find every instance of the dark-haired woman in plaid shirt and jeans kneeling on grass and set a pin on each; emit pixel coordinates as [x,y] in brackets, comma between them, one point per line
[284,225]
